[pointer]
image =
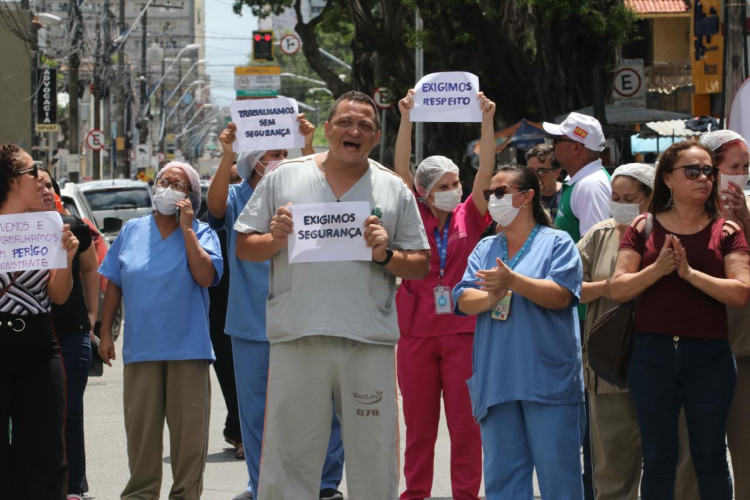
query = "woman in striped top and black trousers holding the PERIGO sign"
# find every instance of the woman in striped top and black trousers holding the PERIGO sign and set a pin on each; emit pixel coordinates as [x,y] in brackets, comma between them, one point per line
[32,380]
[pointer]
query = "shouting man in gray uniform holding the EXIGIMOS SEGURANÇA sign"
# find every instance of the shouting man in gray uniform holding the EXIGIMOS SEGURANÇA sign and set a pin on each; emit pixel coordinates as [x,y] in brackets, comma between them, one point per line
[332,325]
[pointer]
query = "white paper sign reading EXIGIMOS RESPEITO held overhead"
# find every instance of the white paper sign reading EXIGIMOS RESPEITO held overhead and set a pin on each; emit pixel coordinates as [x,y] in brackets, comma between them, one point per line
[446,97]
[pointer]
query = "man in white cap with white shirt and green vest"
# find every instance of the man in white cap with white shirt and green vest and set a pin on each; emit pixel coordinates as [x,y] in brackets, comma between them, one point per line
[578,143]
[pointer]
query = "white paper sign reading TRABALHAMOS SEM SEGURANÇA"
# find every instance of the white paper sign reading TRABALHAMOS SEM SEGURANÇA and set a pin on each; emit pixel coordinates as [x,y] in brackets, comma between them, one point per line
[264,124]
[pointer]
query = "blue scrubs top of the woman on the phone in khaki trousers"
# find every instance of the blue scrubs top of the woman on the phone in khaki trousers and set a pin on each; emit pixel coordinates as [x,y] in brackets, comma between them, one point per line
[166,311]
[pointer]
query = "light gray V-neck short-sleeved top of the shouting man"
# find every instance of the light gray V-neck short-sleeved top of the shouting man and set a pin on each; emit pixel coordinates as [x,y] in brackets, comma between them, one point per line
[351,299]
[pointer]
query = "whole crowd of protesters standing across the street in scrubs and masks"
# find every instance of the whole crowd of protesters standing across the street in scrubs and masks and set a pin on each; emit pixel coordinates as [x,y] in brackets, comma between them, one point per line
[493,328]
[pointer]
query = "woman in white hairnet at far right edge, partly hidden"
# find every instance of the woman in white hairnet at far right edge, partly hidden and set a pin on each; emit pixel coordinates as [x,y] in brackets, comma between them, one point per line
[731,157]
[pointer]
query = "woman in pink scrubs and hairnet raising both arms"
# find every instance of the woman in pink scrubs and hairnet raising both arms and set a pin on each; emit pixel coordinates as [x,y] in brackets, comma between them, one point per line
[434,350]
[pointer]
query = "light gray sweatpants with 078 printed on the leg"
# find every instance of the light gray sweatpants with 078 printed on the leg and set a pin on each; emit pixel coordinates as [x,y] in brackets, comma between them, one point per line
[304,376]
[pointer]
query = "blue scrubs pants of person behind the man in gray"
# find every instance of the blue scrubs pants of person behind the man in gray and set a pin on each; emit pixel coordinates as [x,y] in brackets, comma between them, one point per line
[251,375]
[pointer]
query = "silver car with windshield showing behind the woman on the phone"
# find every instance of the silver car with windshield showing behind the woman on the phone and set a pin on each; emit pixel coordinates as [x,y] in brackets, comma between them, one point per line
[122,198]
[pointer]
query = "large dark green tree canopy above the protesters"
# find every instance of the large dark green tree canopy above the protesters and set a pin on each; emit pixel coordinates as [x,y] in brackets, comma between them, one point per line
[534,58]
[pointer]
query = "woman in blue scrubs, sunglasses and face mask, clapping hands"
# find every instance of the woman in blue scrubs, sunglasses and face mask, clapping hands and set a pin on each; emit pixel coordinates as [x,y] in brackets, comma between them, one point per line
[526,388]
